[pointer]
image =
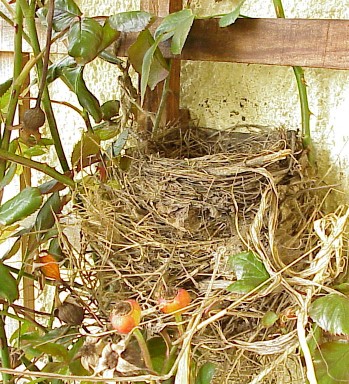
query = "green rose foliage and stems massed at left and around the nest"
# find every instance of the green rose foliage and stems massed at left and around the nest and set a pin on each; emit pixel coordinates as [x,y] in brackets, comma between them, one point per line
[30,220]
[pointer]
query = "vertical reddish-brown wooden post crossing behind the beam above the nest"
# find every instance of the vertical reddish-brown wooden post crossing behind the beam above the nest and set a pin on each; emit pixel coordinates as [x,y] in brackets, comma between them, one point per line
[162,8]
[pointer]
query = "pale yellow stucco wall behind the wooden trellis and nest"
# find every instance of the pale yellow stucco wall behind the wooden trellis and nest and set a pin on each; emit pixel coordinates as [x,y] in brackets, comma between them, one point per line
[222,95]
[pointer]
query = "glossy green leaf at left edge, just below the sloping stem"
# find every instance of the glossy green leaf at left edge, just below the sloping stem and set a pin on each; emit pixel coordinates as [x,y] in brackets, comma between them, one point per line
[20,206]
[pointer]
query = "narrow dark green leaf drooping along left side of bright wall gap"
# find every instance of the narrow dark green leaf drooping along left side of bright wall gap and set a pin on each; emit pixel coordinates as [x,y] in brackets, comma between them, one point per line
[87,100]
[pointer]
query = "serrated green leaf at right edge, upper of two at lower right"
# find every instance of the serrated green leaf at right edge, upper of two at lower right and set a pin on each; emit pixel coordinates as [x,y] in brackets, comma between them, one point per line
[331,313]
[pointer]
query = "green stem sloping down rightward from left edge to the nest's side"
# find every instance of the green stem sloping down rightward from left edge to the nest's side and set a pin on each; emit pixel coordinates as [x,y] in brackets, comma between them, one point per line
[42,167]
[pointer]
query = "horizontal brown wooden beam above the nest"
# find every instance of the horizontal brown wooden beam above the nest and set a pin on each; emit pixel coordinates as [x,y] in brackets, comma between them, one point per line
[291,42]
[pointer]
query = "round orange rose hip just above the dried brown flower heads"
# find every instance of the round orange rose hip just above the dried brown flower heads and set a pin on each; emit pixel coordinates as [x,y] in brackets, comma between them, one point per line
[126,315]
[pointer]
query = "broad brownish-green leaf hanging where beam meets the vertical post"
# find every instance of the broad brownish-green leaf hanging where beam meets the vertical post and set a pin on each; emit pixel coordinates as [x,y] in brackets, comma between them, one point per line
[156,68]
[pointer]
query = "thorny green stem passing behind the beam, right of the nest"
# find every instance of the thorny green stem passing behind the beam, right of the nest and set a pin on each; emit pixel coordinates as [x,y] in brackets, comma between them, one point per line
[303,96]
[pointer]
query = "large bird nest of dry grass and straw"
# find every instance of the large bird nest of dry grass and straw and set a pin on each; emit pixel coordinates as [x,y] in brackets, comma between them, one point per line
[186,204]
